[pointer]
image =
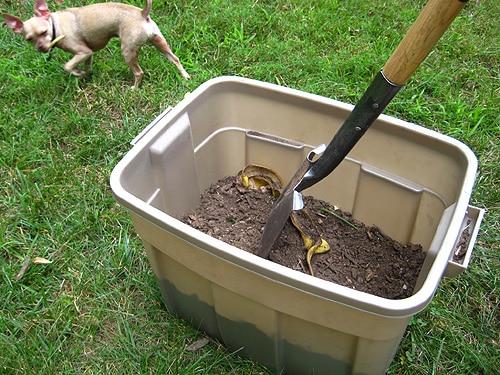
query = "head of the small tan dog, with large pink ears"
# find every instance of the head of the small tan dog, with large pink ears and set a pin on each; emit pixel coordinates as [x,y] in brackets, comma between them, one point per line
[37,30]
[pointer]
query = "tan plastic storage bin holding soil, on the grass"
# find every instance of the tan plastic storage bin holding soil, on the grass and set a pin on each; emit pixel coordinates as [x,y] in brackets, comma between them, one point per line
[411,182]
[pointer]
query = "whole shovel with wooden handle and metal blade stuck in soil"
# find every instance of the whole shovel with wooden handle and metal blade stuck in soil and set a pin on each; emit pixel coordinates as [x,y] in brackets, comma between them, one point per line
[413,49]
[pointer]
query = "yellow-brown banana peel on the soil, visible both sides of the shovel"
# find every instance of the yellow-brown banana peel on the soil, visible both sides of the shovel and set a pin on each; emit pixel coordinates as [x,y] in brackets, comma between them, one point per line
[258,177]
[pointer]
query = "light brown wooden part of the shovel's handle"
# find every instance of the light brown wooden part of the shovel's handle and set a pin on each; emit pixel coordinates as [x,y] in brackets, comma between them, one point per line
[420,38]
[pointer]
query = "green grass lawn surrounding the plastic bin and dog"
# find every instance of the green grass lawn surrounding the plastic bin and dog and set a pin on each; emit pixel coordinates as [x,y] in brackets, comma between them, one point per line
[96,308]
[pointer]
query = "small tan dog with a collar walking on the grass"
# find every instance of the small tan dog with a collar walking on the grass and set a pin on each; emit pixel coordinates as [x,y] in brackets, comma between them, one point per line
[87,29]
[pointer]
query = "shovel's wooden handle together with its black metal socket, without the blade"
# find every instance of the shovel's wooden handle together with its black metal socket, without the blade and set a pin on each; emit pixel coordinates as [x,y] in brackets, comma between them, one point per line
[413,49]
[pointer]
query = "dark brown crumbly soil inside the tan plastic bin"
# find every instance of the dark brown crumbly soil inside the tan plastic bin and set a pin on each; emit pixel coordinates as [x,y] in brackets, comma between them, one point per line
[361,258]
